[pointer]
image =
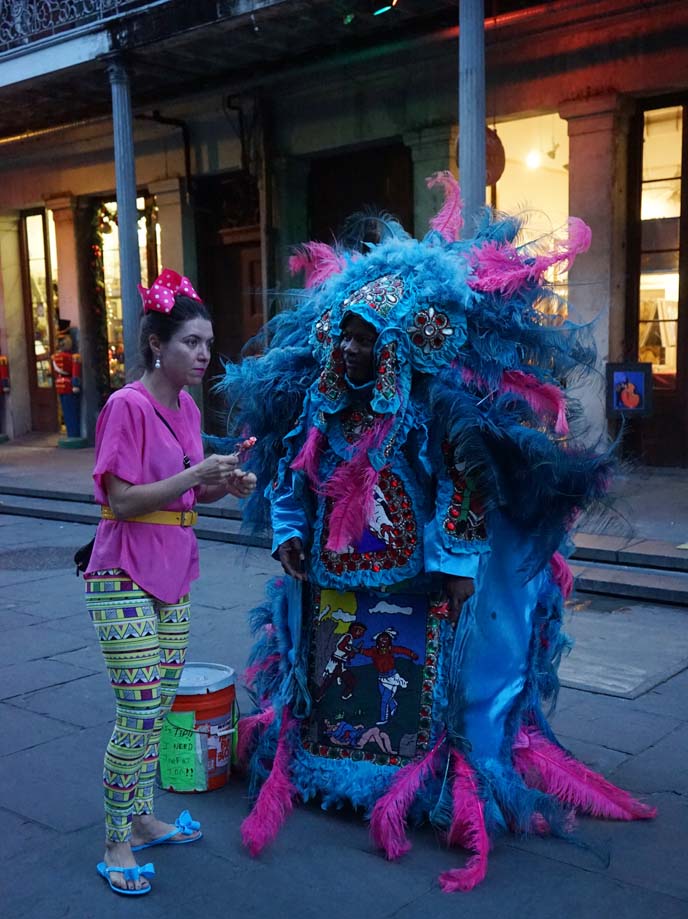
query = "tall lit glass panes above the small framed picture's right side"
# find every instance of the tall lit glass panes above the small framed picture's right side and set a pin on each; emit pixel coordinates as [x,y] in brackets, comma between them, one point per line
[660,215]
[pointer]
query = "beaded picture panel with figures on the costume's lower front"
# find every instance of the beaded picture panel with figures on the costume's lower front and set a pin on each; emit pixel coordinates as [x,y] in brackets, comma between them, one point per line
[372,669]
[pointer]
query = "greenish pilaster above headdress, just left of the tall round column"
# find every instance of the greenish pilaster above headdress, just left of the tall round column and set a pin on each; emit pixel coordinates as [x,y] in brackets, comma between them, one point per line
[433,149]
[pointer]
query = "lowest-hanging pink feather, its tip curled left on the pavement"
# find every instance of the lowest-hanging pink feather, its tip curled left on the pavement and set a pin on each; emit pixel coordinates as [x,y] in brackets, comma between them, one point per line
[467,830]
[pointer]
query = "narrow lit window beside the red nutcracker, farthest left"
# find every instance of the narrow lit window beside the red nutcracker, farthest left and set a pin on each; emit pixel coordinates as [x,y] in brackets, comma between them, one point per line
[42,291]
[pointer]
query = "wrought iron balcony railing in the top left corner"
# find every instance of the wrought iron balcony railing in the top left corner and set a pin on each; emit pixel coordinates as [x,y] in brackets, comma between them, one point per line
[25,21]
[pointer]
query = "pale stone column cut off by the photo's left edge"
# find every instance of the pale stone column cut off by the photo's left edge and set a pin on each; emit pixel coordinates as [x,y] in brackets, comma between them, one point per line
[15,408]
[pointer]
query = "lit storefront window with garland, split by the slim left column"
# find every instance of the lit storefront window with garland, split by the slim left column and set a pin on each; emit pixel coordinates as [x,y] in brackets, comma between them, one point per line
[149,250]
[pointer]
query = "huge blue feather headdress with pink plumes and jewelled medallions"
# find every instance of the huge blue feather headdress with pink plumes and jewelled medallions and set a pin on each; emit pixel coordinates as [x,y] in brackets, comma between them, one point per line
[468,328]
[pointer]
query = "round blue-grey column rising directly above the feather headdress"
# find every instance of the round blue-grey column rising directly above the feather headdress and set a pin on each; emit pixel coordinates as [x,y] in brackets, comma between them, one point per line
[472,110]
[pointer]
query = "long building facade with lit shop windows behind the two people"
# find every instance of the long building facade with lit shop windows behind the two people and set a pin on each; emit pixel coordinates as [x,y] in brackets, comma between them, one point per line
[260,124]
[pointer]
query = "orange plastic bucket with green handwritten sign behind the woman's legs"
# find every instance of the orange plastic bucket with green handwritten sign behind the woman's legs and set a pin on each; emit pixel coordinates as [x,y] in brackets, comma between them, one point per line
[197,737]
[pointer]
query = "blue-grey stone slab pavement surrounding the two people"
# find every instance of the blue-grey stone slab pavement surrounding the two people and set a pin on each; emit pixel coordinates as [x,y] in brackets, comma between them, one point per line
[55,718]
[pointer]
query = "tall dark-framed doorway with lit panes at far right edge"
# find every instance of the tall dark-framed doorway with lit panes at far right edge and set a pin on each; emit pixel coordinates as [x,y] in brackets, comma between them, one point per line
[657,317]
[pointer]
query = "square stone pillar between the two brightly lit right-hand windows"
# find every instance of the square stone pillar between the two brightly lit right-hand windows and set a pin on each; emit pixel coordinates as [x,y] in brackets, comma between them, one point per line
[598,154]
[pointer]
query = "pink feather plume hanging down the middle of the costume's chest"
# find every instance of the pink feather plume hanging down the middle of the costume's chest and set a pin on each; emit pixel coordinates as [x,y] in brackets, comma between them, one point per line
[352,488]
